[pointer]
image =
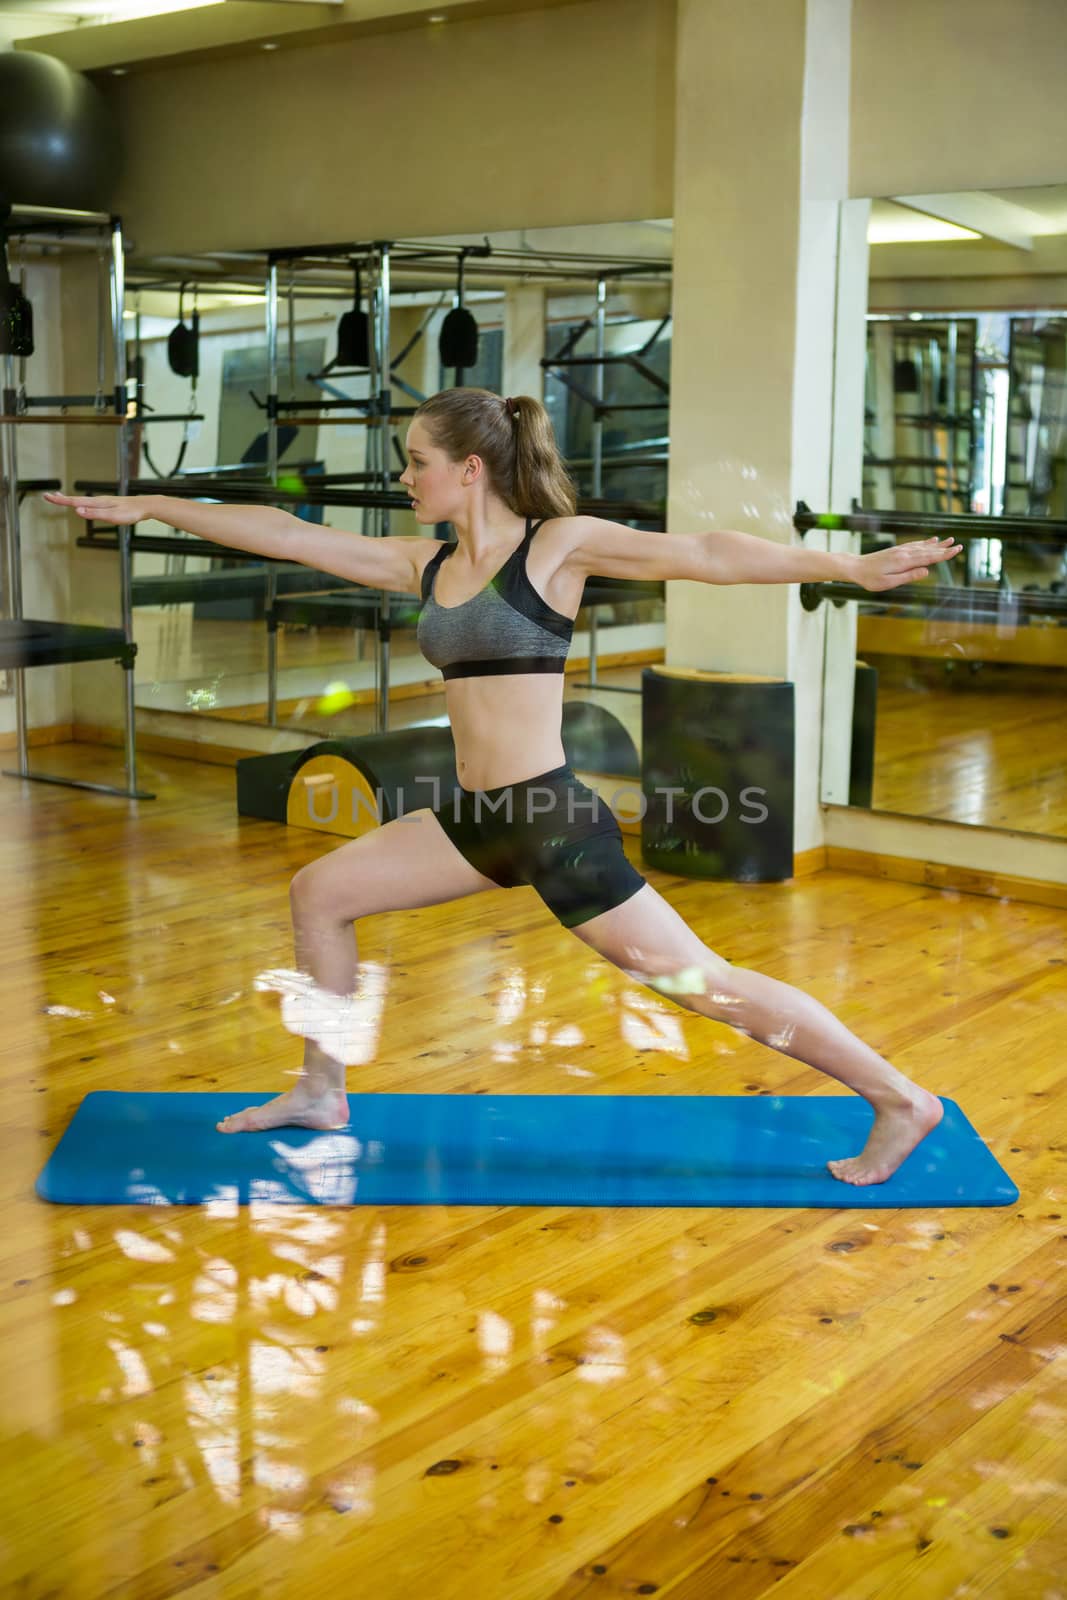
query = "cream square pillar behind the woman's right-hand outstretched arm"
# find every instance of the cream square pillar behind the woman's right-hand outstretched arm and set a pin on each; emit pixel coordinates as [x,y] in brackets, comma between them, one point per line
[761,172]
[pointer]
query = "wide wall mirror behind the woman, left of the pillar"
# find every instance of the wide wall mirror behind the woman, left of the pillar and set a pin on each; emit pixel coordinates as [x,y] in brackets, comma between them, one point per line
[580,318]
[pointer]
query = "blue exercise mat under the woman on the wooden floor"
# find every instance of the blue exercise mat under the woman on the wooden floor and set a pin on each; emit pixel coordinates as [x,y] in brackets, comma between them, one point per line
[511,1150]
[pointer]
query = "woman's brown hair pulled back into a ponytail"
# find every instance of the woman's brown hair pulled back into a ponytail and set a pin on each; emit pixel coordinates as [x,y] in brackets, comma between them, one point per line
[516,442]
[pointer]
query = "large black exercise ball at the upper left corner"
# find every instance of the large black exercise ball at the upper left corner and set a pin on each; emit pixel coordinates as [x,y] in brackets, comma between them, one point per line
[58,137]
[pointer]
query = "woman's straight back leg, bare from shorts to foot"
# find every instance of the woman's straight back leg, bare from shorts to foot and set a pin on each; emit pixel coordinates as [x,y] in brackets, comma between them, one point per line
[647,938]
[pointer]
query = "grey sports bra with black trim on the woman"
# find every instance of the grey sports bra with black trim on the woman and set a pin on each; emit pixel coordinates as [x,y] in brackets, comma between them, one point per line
[506,628]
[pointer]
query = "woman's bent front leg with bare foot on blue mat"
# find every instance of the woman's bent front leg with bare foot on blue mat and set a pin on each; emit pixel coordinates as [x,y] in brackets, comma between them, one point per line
[401,866]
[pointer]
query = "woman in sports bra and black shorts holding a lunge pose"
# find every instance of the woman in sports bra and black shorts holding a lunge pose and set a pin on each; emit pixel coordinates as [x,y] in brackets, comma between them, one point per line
[498,617]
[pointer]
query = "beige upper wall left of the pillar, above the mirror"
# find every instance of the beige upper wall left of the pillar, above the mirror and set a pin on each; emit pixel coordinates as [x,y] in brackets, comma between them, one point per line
[553,118]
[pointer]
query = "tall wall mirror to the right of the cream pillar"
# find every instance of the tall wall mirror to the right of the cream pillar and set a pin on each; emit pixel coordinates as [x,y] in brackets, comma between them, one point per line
[961,695]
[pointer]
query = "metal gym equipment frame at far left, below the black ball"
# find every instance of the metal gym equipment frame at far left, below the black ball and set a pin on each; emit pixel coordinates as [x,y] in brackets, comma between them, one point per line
[28,642]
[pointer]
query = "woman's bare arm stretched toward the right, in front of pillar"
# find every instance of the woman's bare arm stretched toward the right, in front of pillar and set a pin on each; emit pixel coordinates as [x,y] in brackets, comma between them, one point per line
[610,550]
